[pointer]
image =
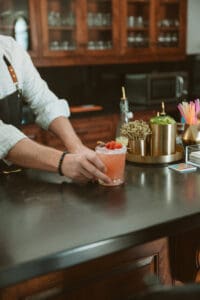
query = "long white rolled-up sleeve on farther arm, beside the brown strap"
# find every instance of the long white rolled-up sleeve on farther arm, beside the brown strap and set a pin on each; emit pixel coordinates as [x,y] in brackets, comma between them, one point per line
[44,103]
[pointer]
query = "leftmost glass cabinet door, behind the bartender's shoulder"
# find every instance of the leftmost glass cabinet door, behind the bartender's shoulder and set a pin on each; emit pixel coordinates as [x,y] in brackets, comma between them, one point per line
[15,21]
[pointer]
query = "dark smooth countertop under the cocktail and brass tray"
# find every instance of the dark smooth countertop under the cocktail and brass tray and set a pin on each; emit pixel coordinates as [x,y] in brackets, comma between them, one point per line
[47,224]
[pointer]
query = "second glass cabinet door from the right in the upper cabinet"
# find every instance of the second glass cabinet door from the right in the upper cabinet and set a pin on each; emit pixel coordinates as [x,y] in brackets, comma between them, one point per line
[136,29]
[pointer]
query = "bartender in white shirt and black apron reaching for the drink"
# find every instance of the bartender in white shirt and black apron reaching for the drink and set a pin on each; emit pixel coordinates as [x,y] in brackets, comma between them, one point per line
[19,77]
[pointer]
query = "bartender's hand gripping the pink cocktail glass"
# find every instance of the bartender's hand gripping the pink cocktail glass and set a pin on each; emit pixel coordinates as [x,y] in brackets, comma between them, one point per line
[84,166]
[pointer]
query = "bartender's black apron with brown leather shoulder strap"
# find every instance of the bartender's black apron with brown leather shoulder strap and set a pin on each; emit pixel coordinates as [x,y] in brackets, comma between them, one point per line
[11,112]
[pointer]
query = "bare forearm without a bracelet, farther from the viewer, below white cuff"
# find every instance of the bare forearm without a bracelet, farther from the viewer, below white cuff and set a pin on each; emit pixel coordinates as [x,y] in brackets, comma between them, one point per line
[62,127]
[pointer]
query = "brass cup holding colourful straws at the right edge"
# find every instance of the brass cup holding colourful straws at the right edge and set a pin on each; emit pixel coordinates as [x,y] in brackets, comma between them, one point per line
[191,135]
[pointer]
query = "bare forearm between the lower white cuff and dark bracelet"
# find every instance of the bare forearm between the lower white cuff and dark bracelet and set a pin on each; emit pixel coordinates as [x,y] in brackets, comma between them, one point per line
[29,154]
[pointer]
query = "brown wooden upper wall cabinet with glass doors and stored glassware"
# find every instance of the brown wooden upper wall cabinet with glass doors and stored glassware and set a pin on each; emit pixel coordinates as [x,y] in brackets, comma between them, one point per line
[83,32]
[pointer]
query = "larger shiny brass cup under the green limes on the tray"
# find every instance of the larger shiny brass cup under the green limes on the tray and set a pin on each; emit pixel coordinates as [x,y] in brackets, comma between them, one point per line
[163,140]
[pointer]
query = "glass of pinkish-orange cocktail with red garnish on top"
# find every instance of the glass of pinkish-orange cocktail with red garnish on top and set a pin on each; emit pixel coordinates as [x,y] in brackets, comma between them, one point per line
[114,160]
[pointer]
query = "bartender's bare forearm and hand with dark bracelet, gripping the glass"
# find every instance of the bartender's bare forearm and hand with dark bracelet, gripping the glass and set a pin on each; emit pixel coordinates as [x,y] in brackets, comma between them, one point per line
[79,167]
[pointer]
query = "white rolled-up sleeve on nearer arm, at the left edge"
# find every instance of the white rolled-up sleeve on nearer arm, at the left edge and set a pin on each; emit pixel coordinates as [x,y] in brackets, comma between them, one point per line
[9,136]
